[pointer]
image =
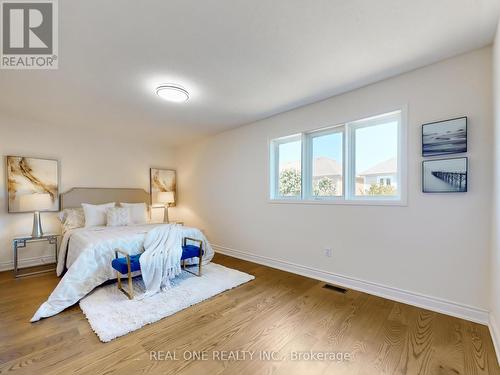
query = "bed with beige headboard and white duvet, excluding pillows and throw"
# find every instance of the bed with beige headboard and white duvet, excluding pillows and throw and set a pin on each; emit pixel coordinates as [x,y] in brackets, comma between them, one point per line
[85,256]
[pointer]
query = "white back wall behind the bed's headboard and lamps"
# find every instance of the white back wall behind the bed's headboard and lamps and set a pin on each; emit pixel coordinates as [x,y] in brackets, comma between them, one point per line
[87,159]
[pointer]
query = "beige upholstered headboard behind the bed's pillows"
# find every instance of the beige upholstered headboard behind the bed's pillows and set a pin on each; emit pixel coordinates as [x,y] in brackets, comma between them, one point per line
[76,196]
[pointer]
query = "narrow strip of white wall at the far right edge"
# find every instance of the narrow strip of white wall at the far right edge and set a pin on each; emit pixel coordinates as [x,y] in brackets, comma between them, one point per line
[495,255]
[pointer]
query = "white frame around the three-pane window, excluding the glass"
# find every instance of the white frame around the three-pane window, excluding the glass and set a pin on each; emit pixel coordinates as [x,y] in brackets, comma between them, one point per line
[348,164]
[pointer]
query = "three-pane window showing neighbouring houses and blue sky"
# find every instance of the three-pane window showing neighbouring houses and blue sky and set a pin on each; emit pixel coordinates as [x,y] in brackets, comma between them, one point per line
[356,161]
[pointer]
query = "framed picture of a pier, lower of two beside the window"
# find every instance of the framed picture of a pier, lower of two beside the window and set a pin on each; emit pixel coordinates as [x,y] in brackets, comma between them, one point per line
[445,175]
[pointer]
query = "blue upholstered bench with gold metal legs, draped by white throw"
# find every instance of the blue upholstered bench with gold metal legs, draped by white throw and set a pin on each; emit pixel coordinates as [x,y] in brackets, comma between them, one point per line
[130,263]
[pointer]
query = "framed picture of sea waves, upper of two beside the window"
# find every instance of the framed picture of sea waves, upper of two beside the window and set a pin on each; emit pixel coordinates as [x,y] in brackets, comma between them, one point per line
[444,137]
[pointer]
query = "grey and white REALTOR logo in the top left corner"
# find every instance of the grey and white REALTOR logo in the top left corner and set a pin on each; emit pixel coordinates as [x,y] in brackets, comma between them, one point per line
[29,34]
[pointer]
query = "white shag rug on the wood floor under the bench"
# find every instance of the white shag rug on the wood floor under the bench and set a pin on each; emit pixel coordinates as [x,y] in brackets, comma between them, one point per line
[111,314]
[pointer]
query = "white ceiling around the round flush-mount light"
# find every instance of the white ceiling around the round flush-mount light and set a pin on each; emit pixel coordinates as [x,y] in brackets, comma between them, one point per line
[242,60]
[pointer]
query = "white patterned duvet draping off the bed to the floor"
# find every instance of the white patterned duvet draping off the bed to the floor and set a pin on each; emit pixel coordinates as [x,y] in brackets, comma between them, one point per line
[87,254]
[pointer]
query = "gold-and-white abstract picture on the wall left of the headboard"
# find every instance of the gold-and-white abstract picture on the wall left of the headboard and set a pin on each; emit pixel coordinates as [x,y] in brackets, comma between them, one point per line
[27,177]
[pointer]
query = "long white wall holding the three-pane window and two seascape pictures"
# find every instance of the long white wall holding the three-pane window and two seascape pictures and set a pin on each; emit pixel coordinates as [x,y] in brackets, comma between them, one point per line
[437,246]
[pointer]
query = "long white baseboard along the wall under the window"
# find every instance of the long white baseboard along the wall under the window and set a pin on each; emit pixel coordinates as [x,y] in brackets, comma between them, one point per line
[443,306]
